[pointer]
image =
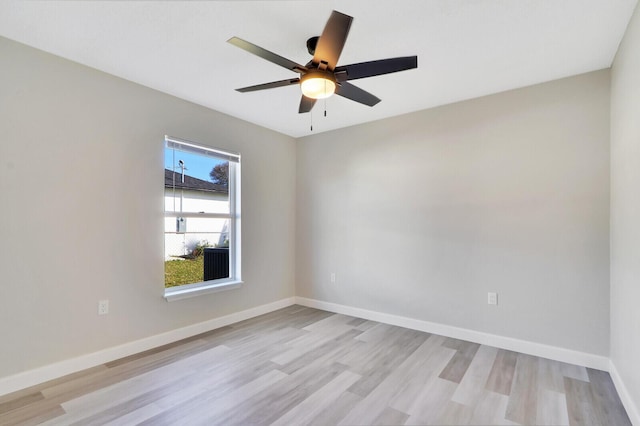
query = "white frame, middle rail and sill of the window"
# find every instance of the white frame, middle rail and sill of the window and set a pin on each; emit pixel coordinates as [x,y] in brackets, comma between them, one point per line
[235,276]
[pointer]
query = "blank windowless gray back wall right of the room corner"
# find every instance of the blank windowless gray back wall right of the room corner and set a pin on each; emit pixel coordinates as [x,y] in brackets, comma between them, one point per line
[423,214]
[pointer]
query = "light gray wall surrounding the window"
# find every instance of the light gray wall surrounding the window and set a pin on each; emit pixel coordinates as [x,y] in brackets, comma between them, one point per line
[81,215]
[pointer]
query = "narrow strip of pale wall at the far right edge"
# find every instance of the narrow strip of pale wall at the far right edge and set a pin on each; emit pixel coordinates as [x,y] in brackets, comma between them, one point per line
[625,210]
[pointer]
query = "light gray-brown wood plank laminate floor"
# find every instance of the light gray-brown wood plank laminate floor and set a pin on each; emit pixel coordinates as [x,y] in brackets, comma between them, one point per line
[300,366]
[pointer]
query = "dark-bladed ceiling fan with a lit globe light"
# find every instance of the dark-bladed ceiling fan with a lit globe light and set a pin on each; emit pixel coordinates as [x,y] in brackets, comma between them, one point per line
[321,77]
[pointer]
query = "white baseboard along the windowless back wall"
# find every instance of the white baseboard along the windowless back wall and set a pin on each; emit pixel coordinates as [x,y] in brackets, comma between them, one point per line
[538,349]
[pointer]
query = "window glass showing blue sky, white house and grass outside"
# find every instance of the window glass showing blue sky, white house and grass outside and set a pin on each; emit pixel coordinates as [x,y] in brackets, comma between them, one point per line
[198,223]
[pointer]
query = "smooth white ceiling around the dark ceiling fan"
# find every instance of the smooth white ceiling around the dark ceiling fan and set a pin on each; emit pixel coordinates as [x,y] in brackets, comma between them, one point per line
[465,48]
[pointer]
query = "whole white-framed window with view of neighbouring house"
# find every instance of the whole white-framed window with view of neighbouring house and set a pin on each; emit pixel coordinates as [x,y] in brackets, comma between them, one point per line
[201,219]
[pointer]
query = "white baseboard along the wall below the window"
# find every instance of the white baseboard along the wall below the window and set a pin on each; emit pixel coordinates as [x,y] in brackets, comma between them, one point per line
[48,372]
